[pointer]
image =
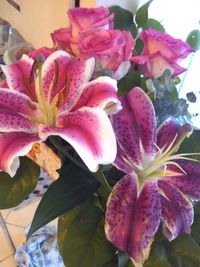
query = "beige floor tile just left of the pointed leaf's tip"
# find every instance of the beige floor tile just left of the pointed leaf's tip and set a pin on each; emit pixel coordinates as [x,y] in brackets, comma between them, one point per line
[23,216]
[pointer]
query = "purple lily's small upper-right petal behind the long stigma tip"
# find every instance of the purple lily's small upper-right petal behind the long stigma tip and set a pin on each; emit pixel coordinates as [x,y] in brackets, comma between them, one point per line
[171,131]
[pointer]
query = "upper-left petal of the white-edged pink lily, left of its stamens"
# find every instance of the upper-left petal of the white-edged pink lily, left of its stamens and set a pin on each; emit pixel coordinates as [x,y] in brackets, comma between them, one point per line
[18,76]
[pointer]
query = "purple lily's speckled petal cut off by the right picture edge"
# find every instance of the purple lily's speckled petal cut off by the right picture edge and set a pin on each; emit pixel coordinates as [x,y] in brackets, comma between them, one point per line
[188,182]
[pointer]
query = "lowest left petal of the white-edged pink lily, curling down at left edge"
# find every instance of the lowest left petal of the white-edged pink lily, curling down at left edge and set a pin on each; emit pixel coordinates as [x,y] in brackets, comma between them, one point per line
[12,146]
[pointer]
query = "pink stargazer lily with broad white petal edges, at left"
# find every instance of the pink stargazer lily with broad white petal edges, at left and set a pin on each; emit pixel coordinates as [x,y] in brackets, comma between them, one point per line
[55,97]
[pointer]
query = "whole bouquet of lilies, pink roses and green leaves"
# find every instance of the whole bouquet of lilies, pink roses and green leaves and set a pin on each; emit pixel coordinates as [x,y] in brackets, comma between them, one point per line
[100,113]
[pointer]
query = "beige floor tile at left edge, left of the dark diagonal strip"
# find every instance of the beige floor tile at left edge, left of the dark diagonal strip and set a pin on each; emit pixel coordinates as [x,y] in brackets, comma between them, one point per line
[6,248]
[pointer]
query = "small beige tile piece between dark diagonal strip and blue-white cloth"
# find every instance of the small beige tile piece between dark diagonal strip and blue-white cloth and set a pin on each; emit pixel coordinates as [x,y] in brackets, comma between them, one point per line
[17,234]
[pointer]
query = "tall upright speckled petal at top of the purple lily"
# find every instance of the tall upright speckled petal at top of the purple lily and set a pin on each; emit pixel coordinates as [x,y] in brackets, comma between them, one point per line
[135,125]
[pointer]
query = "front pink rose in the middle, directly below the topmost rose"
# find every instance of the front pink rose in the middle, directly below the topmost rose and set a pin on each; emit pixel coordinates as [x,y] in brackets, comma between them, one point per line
[109,47]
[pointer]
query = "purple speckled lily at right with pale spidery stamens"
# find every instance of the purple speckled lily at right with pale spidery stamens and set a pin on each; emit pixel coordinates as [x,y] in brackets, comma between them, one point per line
[158,185]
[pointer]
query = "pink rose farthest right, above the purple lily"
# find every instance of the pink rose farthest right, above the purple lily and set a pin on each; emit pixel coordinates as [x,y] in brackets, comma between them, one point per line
[161,51]
